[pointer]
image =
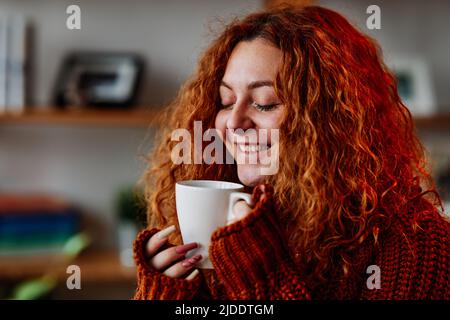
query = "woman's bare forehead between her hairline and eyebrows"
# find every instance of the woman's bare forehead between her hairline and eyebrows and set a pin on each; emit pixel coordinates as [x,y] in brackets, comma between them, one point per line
[252,60]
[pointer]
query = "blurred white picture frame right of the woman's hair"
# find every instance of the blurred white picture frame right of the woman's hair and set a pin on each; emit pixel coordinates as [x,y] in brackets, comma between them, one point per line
[415,85]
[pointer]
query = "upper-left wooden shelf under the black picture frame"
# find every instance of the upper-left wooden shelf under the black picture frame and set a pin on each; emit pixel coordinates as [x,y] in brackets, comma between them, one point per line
[140,117]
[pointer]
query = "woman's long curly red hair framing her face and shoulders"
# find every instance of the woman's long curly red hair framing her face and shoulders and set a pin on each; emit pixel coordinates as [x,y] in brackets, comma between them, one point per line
[354,157]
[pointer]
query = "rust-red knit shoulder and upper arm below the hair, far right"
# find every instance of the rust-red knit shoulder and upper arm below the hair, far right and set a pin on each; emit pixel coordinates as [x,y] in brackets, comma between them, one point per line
[414,259]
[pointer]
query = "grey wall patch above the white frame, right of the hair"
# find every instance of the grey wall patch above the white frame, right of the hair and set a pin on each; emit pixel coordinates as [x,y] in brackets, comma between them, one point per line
[409,28]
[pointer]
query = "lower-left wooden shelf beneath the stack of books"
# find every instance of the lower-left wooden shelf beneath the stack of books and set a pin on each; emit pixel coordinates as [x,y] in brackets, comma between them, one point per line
[96,267]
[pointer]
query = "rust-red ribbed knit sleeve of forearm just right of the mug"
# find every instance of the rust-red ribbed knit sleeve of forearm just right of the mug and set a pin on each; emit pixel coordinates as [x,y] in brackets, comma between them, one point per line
[251,257]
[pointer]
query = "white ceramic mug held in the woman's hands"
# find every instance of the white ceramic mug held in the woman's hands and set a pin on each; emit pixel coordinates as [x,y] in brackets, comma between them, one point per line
[202,207]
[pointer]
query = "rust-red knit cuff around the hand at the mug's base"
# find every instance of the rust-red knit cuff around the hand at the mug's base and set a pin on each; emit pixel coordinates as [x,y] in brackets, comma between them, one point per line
[153,284]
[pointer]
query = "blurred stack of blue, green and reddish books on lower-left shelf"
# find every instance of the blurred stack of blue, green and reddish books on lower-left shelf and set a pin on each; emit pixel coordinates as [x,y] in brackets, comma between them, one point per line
[35,224]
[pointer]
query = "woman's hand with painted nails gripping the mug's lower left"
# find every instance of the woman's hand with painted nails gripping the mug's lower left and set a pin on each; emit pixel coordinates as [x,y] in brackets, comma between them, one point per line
[171,261]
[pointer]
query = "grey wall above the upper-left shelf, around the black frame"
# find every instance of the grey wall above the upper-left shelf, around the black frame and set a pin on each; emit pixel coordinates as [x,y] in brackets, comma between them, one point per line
[169,34]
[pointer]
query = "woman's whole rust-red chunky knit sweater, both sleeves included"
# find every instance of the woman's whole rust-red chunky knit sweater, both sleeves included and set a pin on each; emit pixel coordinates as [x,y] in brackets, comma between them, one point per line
[252,261]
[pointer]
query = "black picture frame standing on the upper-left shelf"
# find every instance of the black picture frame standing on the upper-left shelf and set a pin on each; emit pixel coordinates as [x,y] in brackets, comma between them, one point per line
[99,79]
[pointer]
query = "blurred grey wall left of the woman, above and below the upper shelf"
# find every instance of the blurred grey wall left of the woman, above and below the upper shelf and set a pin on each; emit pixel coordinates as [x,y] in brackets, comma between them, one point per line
[87,164]
